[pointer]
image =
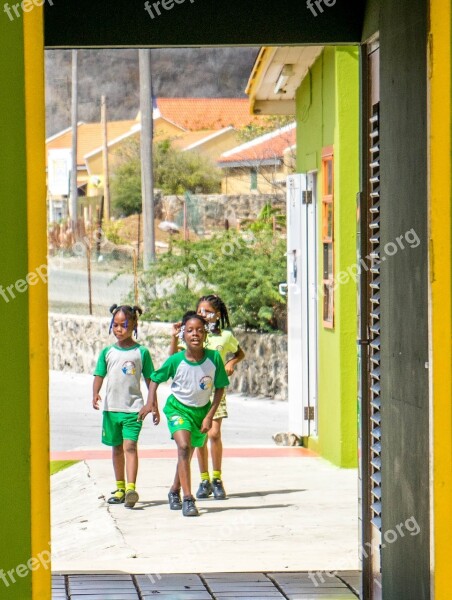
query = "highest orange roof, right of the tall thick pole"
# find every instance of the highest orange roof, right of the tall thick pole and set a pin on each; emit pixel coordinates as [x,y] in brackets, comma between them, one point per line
[207,113]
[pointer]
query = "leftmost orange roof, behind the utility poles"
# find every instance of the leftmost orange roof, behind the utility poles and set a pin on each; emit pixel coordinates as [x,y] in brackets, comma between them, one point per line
[89,137]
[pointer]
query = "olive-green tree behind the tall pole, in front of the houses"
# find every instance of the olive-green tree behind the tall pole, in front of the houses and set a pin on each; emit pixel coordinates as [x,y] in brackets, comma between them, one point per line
[175,172]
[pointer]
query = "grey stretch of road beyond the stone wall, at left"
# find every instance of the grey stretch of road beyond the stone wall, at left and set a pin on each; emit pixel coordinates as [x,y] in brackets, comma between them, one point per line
[71,286]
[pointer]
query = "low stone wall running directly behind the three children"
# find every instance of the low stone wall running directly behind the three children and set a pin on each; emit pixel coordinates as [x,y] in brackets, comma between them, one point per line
[76,341]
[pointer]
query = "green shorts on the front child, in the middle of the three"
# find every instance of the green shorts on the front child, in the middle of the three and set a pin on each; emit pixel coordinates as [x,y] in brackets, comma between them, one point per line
[189,418]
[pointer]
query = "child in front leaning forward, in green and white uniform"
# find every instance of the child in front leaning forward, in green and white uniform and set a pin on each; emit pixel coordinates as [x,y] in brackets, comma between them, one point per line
[195,372]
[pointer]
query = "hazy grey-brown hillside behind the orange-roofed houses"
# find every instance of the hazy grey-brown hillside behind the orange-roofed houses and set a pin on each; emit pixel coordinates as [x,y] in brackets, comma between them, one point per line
[177,72]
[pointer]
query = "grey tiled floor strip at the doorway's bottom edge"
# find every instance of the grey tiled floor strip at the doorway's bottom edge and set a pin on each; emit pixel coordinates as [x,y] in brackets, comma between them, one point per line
[212,586]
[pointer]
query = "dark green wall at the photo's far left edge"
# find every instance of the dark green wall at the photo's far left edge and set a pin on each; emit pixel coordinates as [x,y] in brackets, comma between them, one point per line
[15,519]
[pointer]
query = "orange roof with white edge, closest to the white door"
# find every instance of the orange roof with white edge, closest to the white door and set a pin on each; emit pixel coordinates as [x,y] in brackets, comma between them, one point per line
[266,147]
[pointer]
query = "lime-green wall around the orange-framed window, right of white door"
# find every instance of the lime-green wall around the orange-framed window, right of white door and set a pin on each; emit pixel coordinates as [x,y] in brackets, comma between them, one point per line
[328,115]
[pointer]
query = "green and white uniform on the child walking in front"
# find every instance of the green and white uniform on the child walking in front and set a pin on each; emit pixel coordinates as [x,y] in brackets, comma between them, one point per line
[192,387]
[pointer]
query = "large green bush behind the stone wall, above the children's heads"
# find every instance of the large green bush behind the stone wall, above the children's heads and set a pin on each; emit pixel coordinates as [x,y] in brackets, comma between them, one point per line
[244,268]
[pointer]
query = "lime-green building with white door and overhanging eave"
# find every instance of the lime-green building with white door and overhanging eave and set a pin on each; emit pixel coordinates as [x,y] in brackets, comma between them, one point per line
[321,86]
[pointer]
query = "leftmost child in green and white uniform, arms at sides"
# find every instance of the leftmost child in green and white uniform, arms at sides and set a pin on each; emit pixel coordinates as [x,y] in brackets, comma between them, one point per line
[123,362]
